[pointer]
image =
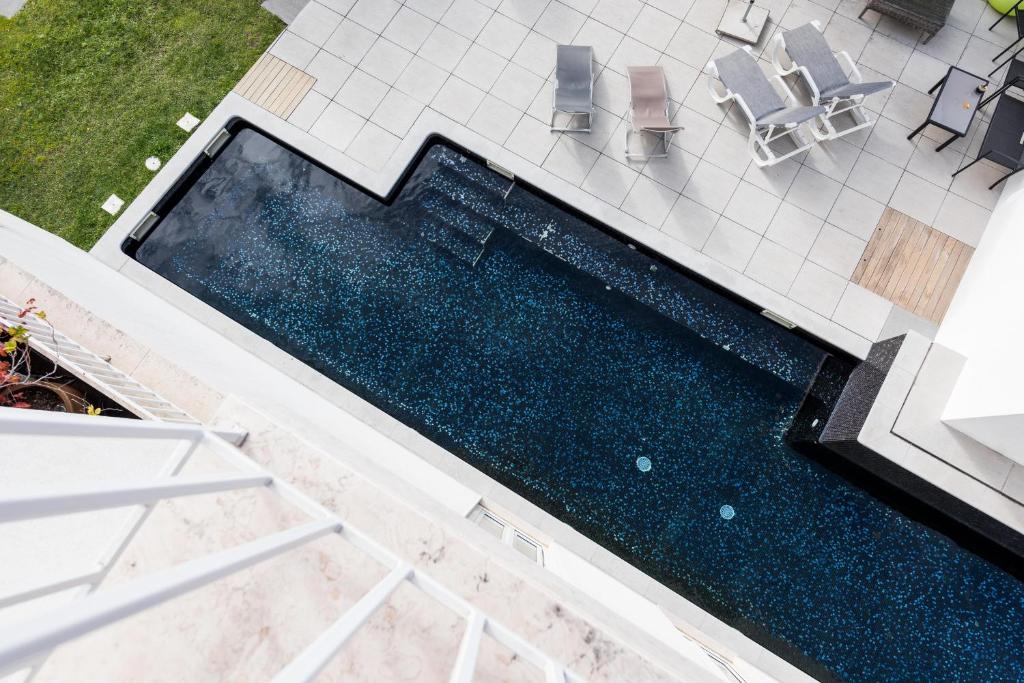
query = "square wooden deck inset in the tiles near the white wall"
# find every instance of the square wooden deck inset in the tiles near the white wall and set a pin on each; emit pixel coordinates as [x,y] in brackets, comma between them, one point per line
[913,266]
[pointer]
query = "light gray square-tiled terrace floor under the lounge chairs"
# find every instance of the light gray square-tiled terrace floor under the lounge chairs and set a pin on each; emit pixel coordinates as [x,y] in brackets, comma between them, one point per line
[800,228]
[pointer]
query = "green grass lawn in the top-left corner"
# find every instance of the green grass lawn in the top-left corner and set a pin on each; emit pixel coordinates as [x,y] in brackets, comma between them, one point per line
[91,89]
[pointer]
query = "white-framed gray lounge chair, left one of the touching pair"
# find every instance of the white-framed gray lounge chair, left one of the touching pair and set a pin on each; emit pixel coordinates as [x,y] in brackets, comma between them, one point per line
[737,77]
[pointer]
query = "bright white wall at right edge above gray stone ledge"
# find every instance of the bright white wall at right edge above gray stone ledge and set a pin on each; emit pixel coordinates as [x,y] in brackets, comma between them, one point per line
[986,324]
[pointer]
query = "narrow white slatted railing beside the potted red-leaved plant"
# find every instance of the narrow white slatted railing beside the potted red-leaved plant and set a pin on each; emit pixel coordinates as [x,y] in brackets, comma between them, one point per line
[92,369]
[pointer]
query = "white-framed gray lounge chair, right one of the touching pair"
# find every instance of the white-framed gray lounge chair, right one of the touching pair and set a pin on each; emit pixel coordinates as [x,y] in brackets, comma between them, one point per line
[806,52]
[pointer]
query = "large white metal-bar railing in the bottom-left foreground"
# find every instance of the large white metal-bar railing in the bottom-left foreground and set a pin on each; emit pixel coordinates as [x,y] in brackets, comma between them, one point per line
[28,645]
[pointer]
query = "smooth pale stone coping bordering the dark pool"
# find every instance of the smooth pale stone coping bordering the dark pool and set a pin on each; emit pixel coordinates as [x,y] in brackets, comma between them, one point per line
[680,611]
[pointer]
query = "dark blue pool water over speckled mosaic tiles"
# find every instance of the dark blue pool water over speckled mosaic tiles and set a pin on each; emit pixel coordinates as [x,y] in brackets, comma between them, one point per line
[552,358]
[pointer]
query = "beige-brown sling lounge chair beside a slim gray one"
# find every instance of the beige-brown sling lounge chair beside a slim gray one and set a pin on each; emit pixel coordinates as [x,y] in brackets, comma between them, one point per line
[649,113]
